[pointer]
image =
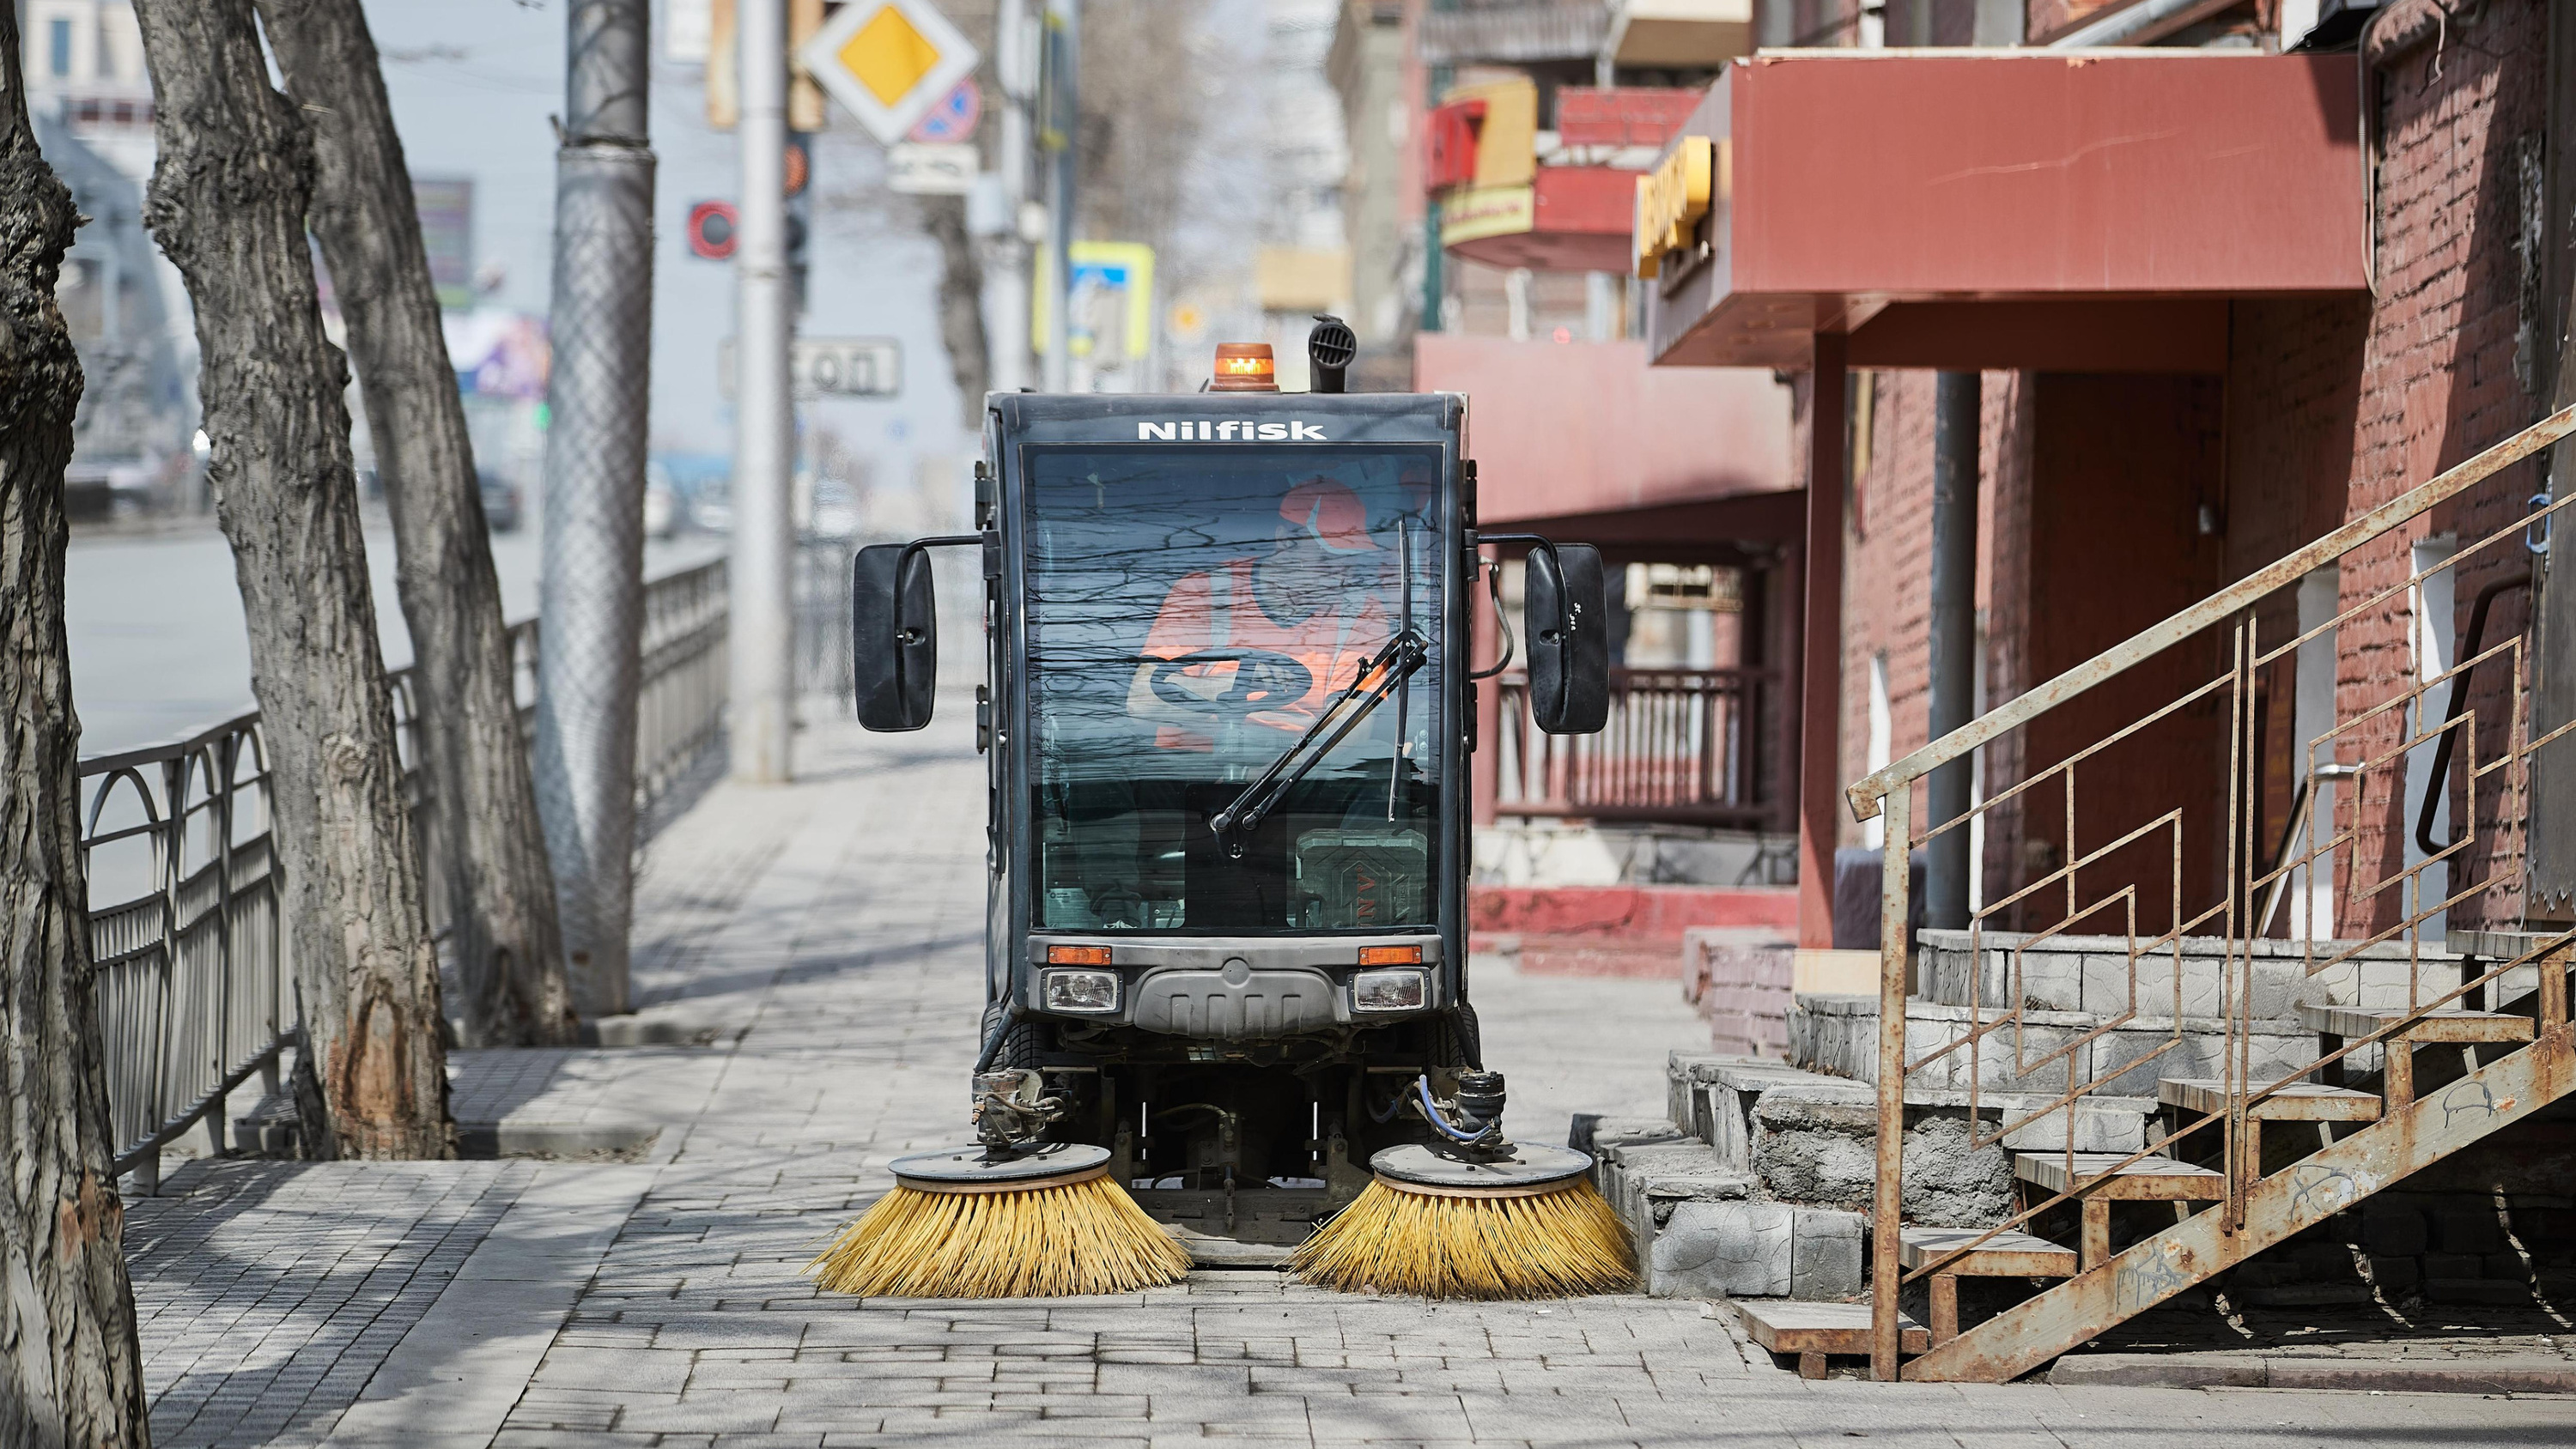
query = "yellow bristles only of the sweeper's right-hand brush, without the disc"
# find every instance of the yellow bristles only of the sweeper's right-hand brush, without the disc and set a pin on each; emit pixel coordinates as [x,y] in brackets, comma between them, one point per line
[1557,1244]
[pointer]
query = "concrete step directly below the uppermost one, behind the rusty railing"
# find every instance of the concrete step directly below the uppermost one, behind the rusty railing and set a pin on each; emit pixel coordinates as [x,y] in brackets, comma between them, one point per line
[2041,1051]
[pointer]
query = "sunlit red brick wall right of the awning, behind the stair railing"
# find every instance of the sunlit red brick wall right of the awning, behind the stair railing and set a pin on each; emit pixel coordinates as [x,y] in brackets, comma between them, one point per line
[2441,377]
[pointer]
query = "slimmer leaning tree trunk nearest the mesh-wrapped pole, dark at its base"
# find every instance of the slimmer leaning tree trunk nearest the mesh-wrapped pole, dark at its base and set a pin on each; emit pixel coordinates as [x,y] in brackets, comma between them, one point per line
[491,840]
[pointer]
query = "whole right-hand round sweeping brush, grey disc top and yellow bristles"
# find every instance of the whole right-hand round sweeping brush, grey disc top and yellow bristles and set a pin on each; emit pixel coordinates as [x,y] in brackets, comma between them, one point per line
[1449,1226]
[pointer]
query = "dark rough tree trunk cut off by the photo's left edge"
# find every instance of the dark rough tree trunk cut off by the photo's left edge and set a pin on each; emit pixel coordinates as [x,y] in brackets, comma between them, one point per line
[68,1363]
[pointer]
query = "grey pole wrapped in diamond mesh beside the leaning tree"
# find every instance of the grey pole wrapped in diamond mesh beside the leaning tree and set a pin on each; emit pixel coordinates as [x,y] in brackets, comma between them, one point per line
[594,549]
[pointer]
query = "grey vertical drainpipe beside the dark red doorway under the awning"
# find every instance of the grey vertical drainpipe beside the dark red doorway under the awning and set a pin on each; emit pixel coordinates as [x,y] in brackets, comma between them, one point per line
[1954,640]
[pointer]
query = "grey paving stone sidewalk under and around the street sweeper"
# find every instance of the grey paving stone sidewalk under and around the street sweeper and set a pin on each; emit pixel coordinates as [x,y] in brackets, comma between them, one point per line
[833,933]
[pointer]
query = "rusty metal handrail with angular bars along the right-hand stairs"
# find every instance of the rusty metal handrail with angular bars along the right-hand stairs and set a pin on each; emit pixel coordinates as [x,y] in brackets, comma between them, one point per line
[2250,874]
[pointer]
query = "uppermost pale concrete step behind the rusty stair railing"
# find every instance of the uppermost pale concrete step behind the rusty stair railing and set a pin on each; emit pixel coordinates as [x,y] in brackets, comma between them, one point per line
[2108,977]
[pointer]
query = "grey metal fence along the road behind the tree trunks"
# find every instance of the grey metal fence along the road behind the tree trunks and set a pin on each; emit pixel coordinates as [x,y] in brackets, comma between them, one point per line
[194,982]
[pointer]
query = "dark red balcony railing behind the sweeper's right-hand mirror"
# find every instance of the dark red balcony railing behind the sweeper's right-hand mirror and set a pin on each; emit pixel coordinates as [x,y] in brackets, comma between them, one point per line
[1681,748]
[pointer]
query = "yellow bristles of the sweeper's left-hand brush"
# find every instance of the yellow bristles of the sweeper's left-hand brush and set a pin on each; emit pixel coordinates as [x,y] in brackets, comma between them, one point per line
[1047,1242]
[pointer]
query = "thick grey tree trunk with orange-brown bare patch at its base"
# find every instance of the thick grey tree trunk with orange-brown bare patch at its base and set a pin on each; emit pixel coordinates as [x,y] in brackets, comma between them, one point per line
[228,205]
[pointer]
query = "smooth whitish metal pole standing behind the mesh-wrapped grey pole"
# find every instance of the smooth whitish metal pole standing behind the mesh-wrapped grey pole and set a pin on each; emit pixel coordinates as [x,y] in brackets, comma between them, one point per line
[764,632]
